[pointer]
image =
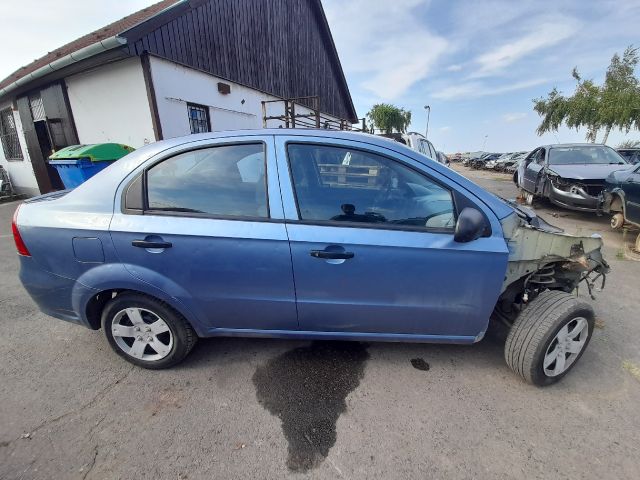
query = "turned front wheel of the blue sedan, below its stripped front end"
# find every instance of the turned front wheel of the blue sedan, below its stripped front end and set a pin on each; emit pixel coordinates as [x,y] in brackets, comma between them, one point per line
[549,337]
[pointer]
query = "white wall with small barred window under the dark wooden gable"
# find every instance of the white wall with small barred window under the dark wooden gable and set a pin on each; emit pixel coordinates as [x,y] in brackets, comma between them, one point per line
[175,85]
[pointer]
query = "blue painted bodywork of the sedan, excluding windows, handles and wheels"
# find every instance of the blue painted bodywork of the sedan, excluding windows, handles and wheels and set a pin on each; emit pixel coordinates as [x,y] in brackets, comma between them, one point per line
[256,277]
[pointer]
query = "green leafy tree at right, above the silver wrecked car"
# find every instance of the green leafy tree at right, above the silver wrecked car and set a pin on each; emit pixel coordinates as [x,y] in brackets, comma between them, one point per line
[614,104]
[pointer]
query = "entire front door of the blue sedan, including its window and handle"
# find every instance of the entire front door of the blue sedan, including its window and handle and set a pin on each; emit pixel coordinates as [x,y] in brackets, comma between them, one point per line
[372,245]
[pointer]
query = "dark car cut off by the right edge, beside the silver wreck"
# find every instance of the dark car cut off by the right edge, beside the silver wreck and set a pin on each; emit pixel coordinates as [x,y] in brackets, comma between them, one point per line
[621,197]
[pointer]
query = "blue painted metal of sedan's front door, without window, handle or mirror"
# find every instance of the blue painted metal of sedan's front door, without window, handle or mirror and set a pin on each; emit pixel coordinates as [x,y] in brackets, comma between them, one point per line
[398,282]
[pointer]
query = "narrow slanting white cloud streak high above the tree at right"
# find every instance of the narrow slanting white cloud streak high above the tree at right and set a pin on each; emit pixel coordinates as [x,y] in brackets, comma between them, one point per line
[542,35]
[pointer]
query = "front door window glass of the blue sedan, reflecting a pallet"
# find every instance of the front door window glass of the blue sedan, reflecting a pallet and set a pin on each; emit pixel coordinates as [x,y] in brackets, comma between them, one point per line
[339,184]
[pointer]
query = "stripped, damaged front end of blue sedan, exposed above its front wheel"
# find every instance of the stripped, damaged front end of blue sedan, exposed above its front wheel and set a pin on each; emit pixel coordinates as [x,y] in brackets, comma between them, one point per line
[543,257]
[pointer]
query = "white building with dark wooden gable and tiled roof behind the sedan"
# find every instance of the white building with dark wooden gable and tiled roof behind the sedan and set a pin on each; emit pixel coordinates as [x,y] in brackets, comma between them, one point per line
[174,68]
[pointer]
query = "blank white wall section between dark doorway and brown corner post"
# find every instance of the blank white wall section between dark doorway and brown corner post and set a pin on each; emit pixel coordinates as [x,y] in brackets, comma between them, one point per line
[109,104]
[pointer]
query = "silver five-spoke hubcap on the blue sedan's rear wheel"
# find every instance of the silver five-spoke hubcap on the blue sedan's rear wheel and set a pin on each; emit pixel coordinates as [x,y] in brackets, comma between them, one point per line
[142,334]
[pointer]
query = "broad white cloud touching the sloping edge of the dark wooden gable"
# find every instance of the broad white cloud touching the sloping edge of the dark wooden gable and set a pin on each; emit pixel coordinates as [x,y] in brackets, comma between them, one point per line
[384,45]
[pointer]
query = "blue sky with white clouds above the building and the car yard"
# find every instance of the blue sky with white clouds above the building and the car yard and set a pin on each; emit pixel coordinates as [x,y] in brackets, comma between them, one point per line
[477,64]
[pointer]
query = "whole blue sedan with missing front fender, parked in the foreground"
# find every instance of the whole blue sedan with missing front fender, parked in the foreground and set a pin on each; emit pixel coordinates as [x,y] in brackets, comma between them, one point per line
[303,234]
